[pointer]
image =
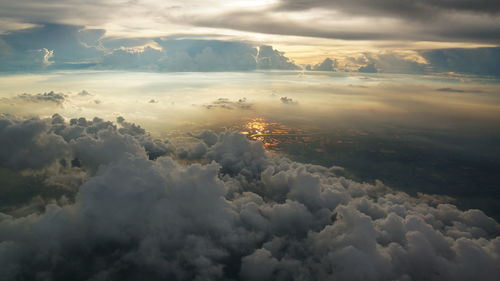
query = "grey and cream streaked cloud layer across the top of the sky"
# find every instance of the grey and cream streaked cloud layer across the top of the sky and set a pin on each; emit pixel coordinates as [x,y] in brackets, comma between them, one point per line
[419,20]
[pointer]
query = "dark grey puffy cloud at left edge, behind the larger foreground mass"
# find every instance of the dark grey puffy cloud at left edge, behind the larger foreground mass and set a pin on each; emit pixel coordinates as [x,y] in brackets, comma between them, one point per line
[38,144]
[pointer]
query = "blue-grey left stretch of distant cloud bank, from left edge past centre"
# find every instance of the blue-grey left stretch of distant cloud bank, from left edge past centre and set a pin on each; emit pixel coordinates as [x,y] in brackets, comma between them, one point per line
[57,46]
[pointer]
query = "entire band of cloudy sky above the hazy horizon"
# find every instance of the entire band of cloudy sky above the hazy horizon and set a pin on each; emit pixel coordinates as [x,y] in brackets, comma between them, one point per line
[383,36]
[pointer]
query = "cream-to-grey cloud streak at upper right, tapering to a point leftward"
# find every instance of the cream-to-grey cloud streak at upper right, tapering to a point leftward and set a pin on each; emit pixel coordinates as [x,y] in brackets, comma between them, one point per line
[366,20]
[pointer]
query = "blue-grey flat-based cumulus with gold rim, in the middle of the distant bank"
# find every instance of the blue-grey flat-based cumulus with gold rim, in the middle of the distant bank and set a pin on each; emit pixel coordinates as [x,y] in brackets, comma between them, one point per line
[198,55]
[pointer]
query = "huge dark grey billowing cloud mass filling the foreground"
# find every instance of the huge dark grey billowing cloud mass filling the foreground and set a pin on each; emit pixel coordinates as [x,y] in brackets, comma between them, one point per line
[232,212]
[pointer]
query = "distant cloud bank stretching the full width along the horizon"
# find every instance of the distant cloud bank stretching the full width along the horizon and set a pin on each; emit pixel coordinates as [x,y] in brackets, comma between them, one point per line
[65,47]
